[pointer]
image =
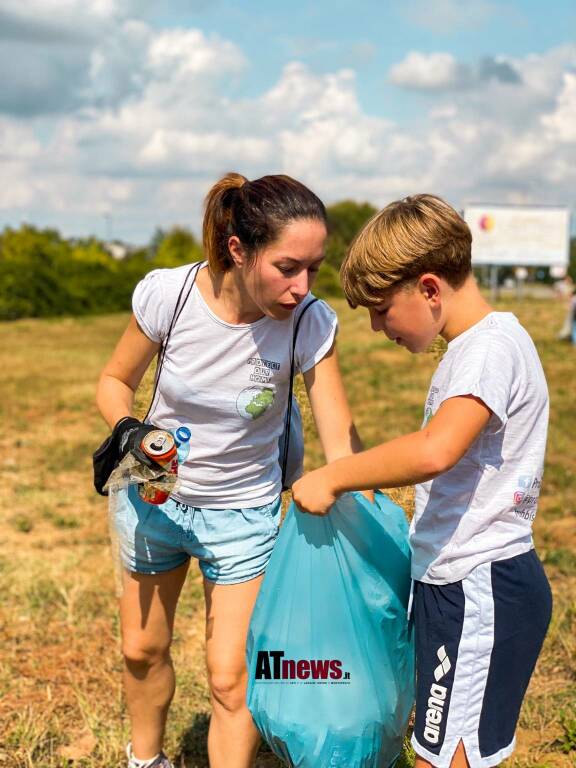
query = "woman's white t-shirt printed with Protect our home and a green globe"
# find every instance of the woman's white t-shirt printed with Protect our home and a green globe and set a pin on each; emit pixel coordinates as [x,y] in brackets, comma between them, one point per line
[229,384]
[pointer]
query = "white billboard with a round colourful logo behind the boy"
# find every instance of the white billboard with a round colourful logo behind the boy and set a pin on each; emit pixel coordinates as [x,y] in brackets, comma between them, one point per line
[519,235]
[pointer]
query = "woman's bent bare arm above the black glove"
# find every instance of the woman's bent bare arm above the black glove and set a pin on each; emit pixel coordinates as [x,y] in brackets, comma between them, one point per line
[123,373]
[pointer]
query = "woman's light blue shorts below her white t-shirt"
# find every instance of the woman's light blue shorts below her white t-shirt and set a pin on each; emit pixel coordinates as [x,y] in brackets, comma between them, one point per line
[232,545]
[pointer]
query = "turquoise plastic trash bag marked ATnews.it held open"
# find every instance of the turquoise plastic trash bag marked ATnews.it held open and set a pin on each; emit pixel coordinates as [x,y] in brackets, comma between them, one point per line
[330,653]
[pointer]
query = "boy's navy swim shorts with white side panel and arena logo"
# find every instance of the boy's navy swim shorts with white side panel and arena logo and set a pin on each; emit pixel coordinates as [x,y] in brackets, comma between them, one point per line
[477,642]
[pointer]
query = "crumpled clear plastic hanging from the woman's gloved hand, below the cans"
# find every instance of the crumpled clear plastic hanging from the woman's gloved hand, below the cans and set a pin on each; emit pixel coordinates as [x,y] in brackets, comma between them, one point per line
[131,471]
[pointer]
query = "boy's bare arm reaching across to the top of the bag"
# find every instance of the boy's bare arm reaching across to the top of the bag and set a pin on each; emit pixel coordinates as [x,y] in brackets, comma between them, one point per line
[406,460]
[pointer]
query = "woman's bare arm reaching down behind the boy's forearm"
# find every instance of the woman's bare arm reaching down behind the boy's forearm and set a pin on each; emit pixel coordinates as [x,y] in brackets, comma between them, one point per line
[330,408]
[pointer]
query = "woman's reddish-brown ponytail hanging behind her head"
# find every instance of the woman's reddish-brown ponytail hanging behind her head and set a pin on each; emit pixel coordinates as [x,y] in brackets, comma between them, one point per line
[218,223]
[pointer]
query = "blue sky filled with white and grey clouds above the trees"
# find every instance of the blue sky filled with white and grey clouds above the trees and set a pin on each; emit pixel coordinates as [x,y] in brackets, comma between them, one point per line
[116,116]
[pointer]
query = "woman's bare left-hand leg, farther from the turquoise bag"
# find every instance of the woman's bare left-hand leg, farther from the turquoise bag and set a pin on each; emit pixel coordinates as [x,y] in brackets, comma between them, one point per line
[147,609]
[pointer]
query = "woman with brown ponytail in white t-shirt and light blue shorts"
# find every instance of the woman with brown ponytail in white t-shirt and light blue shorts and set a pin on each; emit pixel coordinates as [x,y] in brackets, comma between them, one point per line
[225,376]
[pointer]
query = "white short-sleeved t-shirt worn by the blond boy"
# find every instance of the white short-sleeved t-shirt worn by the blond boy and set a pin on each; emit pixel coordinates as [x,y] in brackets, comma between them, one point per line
[483,508]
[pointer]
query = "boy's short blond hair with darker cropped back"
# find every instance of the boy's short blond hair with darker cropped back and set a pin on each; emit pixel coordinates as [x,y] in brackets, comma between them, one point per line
[409,237]
